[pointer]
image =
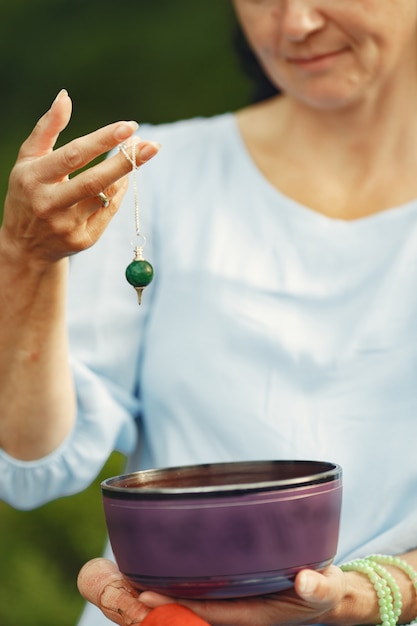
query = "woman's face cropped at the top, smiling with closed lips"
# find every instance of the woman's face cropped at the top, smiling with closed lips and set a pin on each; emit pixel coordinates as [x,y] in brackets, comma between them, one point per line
[331,53]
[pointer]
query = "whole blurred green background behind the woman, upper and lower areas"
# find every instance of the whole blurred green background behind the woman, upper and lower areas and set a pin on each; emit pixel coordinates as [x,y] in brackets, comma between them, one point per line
[149,60]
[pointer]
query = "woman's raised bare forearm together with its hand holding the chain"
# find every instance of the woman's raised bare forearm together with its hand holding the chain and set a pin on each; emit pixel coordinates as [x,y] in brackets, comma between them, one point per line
[53,209]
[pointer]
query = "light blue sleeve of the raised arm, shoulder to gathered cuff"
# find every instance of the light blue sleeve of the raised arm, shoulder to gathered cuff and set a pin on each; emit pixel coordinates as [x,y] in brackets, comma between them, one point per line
[107,331]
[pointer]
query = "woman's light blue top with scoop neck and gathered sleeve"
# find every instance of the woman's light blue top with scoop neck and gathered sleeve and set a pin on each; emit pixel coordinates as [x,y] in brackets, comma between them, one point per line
[269,331]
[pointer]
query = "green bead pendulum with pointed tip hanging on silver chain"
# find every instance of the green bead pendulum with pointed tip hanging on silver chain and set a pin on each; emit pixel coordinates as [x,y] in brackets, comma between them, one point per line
[139,273]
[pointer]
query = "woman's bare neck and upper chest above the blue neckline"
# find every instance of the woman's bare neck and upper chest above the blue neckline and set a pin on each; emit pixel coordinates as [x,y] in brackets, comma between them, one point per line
[345,164]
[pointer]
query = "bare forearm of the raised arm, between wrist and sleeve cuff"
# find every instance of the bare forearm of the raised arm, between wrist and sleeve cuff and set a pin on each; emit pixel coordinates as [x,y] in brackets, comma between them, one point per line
[36,389]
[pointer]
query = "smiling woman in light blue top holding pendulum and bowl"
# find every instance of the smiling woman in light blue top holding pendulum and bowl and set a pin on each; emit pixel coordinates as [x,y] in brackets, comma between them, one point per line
[282,319]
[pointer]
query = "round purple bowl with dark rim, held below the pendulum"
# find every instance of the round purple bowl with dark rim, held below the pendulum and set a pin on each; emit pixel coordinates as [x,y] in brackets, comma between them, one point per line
[223,530]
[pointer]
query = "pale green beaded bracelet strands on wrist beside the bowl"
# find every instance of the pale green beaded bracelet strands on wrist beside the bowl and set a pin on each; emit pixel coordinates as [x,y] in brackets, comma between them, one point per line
[386,588]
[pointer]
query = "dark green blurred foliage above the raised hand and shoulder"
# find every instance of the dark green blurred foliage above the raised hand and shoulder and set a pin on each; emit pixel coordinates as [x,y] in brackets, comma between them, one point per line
[129,59]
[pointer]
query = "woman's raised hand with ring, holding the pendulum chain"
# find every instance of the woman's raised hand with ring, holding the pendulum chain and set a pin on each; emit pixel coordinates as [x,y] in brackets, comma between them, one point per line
[50,211]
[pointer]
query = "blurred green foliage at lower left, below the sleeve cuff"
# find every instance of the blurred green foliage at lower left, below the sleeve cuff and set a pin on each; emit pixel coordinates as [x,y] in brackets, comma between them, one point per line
[42,551]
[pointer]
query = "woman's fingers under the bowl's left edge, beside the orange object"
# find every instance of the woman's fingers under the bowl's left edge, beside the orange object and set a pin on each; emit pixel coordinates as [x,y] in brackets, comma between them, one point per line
[101,583]
